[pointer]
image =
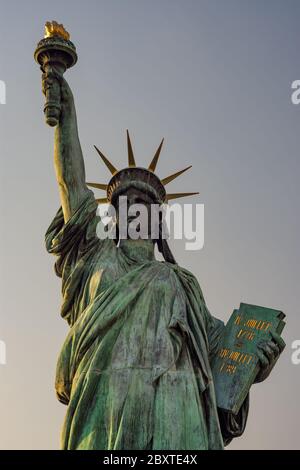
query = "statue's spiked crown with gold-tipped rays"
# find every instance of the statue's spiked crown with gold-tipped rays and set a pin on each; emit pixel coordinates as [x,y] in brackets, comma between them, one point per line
[142,178]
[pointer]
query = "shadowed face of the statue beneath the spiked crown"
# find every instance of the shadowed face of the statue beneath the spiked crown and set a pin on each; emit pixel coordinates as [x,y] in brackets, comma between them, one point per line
[143,217]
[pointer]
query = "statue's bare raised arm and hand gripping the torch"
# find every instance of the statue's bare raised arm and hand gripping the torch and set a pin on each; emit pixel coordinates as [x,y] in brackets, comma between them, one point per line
[68,158]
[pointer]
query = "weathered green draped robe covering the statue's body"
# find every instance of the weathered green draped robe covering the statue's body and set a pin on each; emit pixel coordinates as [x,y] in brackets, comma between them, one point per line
[134,369]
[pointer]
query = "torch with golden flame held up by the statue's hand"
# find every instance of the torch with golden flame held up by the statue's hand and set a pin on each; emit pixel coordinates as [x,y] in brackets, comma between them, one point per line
[55,53]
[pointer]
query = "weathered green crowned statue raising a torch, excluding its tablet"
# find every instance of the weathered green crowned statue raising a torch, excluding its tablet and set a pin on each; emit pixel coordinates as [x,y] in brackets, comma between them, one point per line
[135,368]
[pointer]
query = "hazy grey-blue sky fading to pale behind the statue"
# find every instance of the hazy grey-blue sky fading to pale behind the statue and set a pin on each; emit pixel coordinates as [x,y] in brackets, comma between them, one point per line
[212,77]
